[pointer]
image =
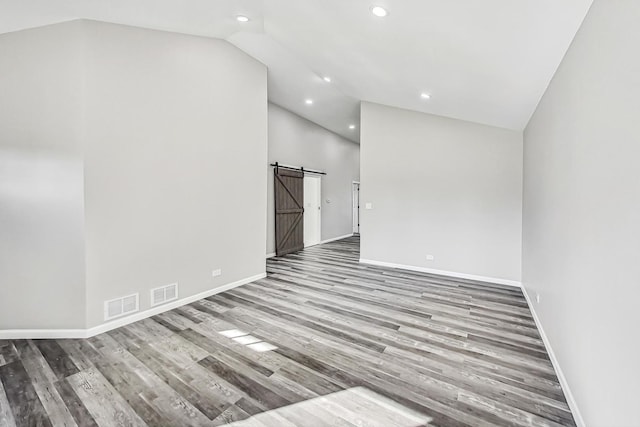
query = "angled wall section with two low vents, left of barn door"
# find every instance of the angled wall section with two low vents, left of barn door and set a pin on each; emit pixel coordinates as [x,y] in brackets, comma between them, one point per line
[175,150]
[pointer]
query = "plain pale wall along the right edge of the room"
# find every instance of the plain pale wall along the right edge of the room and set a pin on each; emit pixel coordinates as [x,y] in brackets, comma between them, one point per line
[581,228]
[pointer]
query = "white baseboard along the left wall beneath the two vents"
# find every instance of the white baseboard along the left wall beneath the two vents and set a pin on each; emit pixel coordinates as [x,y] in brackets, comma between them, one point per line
[105,327]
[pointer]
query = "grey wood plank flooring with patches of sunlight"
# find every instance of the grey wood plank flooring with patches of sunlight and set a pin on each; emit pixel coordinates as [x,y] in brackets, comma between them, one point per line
[312,344]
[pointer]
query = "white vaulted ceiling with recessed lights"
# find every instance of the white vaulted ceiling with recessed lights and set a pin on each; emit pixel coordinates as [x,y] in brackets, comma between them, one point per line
[485,61]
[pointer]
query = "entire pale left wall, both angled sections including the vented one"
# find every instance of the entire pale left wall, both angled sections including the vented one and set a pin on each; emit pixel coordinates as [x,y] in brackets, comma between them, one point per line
[168,133]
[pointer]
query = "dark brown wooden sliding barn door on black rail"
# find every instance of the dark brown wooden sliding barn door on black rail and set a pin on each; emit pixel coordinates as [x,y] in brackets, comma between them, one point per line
[289,202]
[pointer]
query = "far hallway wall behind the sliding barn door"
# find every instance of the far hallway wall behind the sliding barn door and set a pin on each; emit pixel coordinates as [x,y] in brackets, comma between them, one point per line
[298,142]
